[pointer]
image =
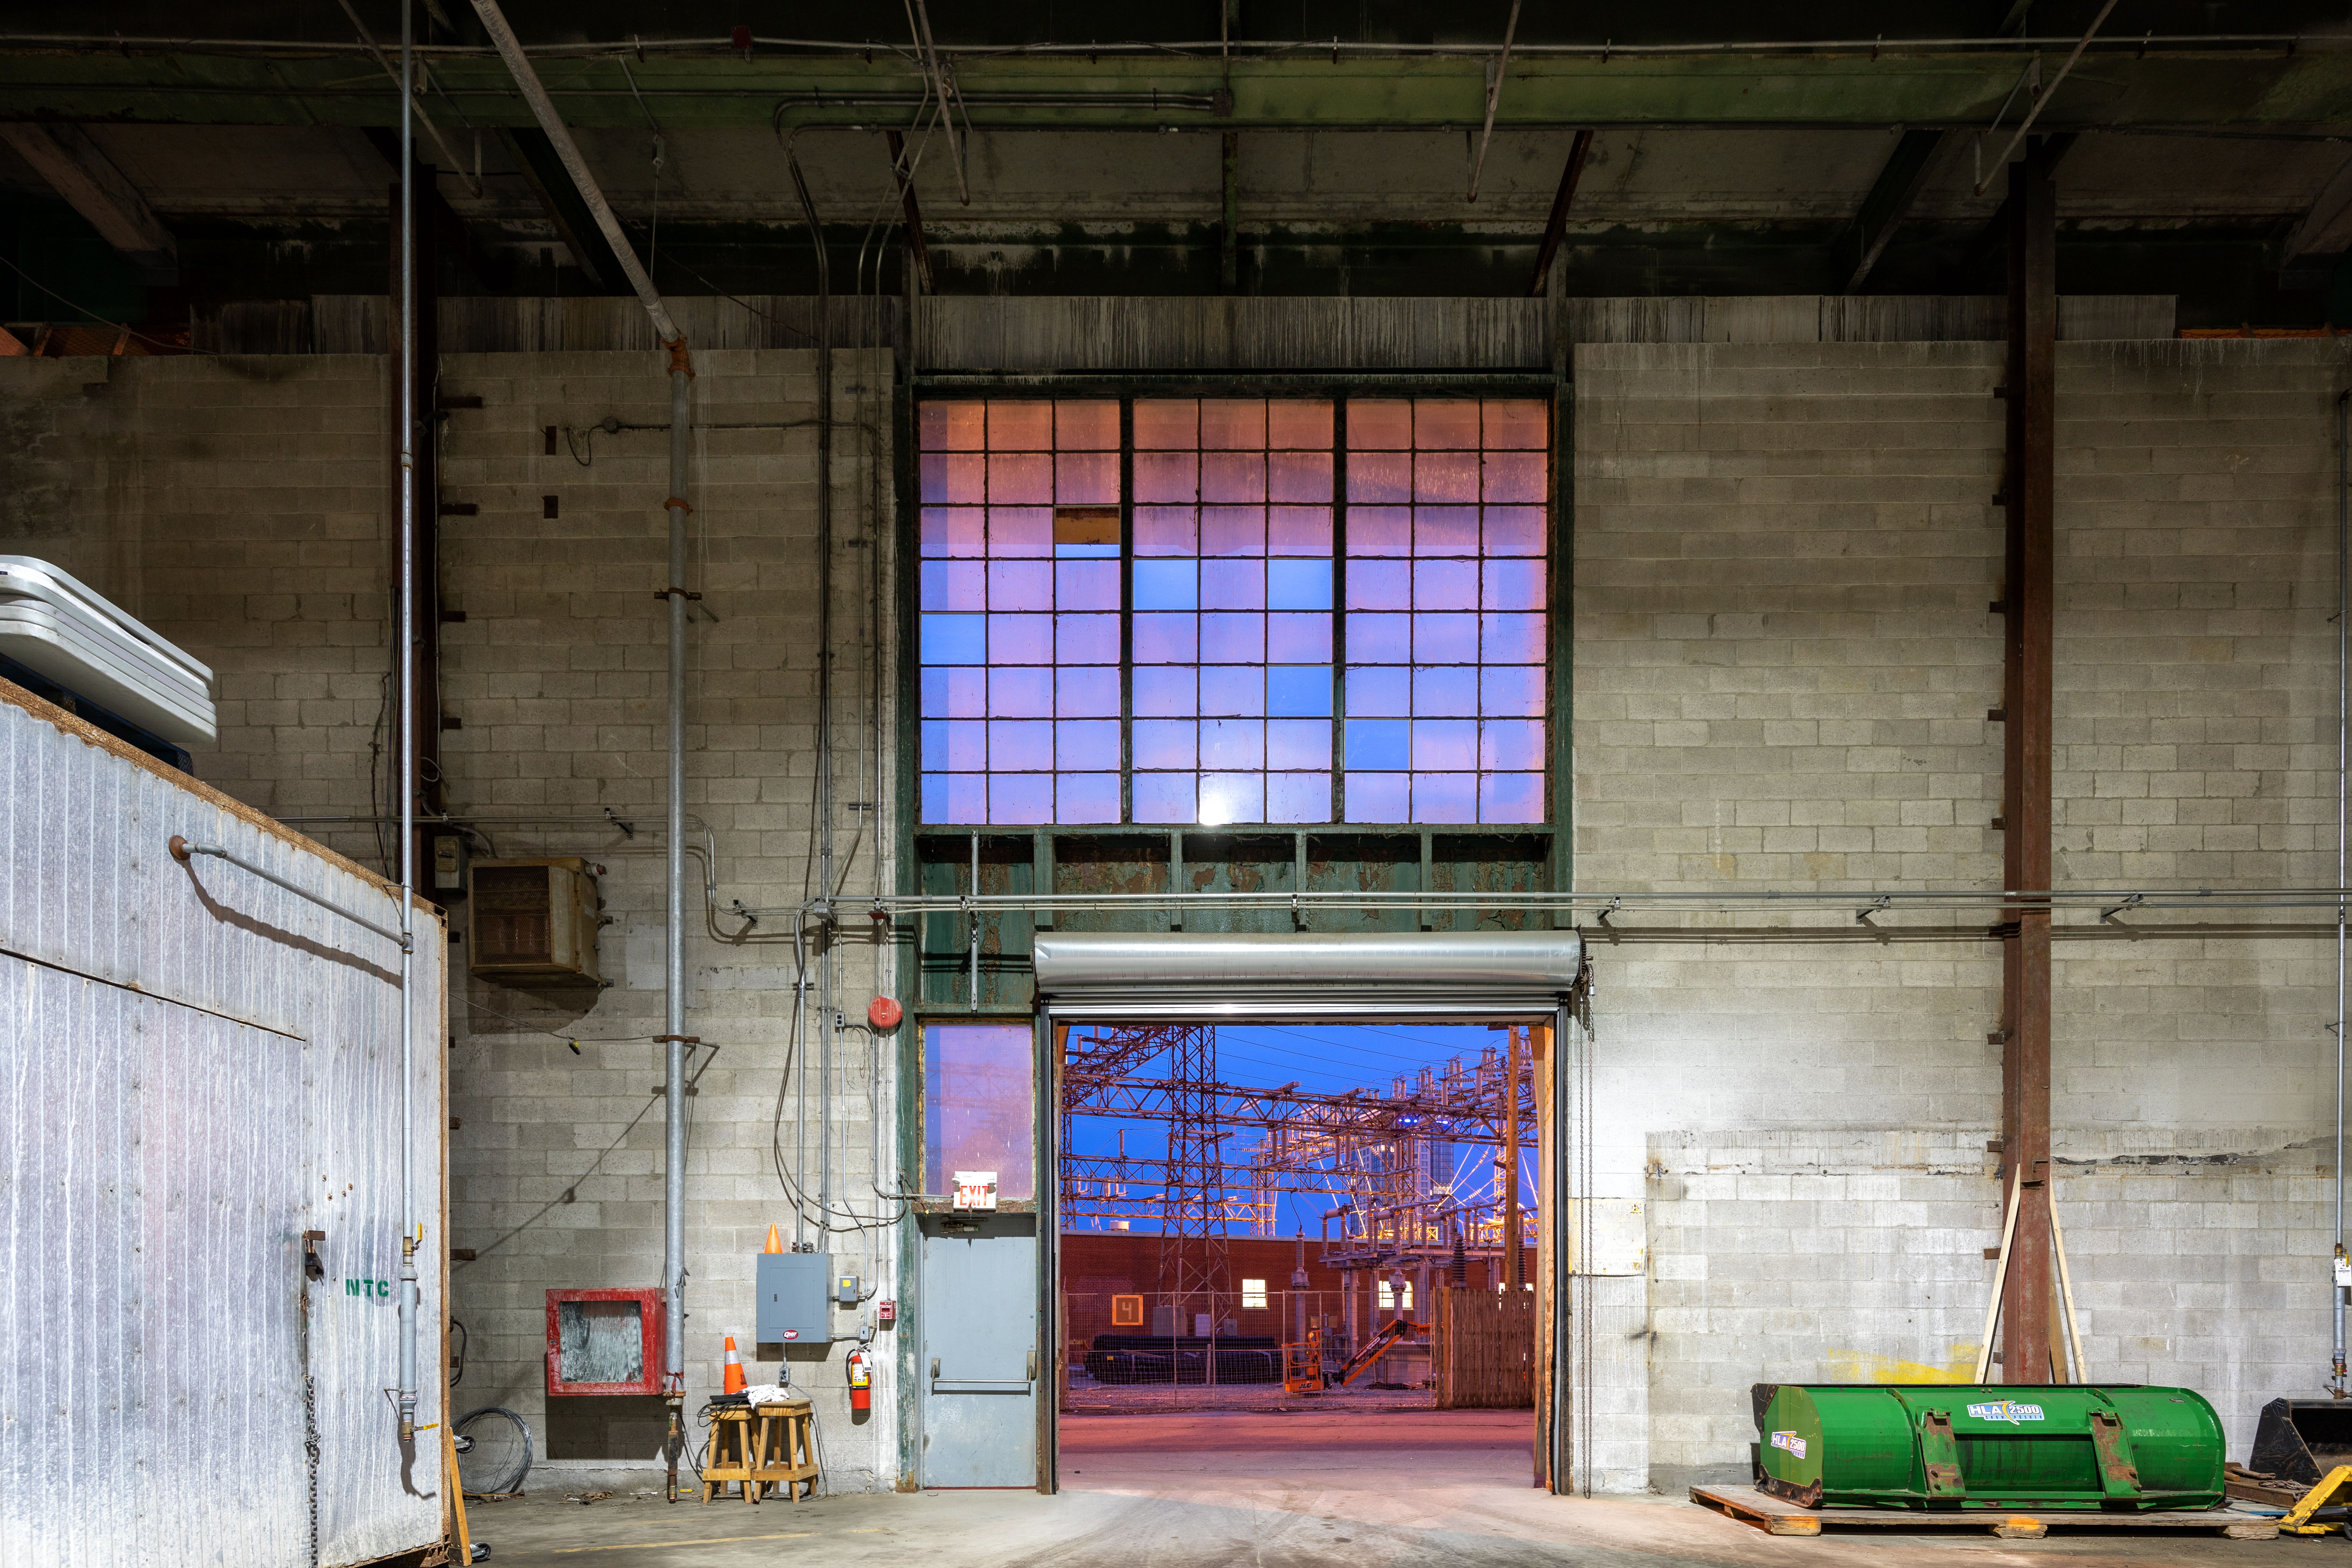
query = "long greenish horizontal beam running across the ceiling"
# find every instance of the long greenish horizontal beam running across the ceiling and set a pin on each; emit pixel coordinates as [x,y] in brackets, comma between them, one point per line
[1932,91]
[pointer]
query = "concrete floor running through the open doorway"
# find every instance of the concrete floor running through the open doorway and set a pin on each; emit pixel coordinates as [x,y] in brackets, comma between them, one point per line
[1271,1492]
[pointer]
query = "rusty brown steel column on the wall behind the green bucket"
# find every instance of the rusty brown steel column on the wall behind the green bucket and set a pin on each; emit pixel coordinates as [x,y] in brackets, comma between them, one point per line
[2026,758]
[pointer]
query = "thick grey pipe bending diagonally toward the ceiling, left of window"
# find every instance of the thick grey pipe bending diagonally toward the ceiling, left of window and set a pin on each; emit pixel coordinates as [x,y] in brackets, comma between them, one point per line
[676,1040]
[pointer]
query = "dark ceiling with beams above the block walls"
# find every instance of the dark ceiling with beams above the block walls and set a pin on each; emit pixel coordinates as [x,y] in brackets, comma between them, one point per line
[159,161]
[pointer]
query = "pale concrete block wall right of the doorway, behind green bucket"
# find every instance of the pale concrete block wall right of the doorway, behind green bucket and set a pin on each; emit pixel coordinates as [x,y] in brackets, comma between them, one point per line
[1782,678]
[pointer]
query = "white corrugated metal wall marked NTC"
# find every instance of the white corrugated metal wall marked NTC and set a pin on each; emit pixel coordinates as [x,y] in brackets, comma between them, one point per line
[194,1071]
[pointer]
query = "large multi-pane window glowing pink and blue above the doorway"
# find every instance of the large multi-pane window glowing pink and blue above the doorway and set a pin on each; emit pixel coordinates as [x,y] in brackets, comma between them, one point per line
[1234,610]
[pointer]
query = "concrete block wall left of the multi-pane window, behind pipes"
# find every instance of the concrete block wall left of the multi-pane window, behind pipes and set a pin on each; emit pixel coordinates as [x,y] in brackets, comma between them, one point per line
[241,507]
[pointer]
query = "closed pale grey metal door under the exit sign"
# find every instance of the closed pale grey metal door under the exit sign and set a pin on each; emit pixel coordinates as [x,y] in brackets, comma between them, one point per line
[980,1353]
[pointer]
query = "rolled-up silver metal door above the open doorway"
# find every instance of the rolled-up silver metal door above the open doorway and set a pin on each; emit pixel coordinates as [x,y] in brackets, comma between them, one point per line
[1309,974]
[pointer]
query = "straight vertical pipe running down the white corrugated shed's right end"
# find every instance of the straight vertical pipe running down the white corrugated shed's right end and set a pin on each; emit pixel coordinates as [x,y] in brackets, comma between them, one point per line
[406,657]
